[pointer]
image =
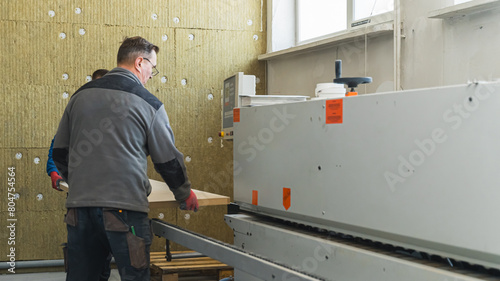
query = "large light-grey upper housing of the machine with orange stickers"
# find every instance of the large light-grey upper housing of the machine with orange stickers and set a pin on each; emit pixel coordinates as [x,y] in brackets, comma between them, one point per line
[418,168]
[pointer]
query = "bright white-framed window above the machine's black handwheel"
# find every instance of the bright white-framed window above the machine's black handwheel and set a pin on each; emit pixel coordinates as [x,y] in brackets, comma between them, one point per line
[318,19]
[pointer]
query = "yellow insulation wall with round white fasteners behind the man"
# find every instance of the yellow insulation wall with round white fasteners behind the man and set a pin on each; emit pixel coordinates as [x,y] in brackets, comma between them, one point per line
[201,42]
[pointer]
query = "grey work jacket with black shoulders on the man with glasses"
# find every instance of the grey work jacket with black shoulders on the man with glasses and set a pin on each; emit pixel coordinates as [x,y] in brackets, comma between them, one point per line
[108,129]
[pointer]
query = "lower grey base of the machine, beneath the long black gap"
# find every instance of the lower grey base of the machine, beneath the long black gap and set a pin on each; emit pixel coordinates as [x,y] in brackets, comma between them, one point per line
[328,258]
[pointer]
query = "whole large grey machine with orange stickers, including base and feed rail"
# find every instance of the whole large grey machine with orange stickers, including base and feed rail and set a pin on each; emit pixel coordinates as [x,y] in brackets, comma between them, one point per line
[387,186]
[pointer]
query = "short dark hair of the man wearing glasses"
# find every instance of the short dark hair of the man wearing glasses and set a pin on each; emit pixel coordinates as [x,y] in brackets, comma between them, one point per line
[133,47]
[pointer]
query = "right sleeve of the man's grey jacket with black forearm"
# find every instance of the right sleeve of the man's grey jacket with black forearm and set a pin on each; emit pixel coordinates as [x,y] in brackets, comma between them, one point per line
[167,160]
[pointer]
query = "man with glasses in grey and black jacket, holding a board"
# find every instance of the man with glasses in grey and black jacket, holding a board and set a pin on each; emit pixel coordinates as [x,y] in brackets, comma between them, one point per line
[108,129]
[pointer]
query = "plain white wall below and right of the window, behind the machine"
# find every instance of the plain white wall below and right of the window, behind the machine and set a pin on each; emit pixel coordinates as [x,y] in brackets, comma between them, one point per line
[434,52]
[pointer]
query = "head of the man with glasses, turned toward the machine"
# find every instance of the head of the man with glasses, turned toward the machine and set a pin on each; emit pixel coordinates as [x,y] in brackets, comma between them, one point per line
[139,56]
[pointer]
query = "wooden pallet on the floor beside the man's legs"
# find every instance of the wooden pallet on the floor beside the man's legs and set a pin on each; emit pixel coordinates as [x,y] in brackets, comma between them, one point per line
[203,268]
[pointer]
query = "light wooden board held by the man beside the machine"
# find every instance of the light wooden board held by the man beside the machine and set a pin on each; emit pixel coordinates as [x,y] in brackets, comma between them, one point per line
[162,197]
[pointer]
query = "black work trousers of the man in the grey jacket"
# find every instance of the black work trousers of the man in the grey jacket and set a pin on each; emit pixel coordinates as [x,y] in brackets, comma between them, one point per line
[94,232]
